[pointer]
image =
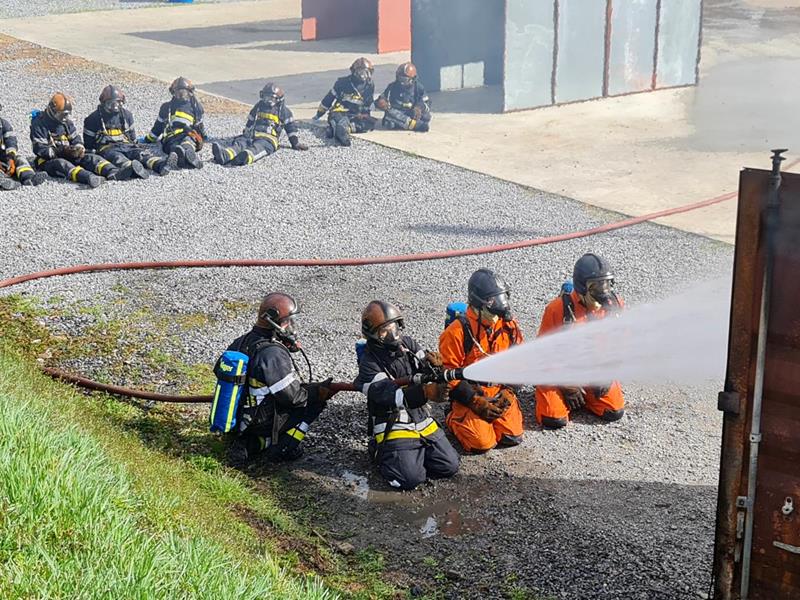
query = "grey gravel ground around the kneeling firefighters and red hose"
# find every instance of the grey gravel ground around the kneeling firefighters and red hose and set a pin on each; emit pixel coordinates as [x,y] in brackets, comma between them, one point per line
[622,510]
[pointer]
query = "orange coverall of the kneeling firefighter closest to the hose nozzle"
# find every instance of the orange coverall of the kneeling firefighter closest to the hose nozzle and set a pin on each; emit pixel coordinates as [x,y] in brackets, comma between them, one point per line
[473,432]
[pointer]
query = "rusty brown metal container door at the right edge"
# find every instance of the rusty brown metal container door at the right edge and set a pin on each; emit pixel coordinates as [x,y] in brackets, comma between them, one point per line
[774,562]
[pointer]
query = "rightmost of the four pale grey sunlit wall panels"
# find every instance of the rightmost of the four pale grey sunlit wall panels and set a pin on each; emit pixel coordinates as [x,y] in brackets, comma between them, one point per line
[678,42]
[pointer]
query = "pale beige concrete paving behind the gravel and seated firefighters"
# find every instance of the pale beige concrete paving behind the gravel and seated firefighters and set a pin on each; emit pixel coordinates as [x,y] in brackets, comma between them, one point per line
[634,154]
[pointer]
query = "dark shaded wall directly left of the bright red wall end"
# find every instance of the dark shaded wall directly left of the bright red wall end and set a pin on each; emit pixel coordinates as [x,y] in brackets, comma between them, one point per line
[324,19]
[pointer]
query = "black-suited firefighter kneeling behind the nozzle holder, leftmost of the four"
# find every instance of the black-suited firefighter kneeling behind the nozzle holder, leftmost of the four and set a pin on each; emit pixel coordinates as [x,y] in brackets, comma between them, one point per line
[278,408]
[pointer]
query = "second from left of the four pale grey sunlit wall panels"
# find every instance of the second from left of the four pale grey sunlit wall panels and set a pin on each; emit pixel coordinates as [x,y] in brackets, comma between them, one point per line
[581,49]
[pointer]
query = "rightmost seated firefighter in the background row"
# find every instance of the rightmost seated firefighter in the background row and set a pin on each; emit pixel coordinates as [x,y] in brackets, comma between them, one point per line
[405,102]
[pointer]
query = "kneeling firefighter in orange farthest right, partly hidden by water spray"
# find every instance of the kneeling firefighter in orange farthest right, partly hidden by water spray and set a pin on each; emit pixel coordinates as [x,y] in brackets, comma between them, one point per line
[593,297]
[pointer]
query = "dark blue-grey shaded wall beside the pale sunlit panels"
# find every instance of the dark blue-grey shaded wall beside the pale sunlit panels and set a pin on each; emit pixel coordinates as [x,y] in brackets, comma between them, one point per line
[454,33]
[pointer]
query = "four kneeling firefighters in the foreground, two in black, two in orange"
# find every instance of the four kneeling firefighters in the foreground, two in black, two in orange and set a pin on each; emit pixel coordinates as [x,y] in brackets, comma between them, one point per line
[406,443]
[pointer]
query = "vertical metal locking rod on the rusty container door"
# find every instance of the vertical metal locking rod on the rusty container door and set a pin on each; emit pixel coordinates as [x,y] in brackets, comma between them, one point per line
[770,227]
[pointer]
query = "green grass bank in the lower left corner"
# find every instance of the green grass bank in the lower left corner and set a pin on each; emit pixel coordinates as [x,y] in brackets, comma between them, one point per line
[102,498]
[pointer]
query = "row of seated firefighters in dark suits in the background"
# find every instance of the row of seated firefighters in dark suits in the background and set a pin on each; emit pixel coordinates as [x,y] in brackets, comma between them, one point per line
[110,149]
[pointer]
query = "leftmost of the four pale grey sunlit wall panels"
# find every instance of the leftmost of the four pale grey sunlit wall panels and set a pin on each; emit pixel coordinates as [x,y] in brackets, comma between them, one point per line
[529,54]
